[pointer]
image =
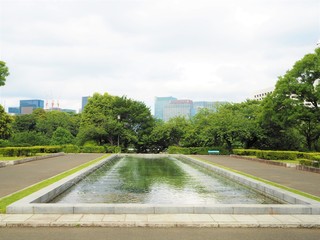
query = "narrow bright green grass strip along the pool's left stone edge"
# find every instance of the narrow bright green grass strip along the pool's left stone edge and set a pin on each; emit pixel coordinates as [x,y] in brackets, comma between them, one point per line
[7,200]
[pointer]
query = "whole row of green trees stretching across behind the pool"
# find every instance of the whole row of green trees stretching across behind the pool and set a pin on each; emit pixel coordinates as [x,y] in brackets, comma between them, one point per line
[288,119]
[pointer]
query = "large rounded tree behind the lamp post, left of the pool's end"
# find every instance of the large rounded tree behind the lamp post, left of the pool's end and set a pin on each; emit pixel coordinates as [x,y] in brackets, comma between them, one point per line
[110,119]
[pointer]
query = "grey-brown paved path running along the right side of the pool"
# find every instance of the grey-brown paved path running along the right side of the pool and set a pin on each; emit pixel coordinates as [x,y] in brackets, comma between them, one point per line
[304,181]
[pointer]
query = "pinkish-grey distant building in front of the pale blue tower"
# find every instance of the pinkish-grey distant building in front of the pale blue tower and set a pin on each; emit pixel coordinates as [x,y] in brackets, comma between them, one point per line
[177,108]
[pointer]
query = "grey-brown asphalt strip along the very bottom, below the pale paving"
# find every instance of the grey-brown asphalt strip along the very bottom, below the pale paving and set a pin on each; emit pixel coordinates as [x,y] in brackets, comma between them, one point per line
[138,233]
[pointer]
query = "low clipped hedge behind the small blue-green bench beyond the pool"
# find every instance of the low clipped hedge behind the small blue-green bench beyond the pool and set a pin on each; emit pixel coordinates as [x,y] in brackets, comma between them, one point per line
[194,150]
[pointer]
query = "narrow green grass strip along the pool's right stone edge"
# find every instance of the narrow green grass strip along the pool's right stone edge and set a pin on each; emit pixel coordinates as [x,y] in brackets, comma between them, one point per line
[304,194]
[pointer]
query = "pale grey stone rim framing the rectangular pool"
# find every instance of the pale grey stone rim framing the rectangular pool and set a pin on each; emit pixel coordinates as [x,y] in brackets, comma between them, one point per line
[36,203]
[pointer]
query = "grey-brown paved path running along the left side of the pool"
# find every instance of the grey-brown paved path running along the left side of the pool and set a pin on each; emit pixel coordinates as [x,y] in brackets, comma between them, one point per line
[17,177]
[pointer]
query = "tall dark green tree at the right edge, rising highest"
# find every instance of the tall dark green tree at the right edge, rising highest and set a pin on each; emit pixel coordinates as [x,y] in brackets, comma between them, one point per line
[296,99]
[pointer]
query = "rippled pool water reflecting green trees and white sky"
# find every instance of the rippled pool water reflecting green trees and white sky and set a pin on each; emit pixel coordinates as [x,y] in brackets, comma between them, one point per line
[158,181]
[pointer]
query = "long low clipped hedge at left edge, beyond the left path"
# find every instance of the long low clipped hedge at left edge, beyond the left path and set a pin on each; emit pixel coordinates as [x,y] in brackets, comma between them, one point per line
[28,151]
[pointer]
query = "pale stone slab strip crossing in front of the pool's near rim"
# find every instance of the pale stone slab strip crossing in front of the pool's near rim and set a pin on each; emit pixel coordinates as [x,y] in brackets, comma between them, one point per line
[159,220]
